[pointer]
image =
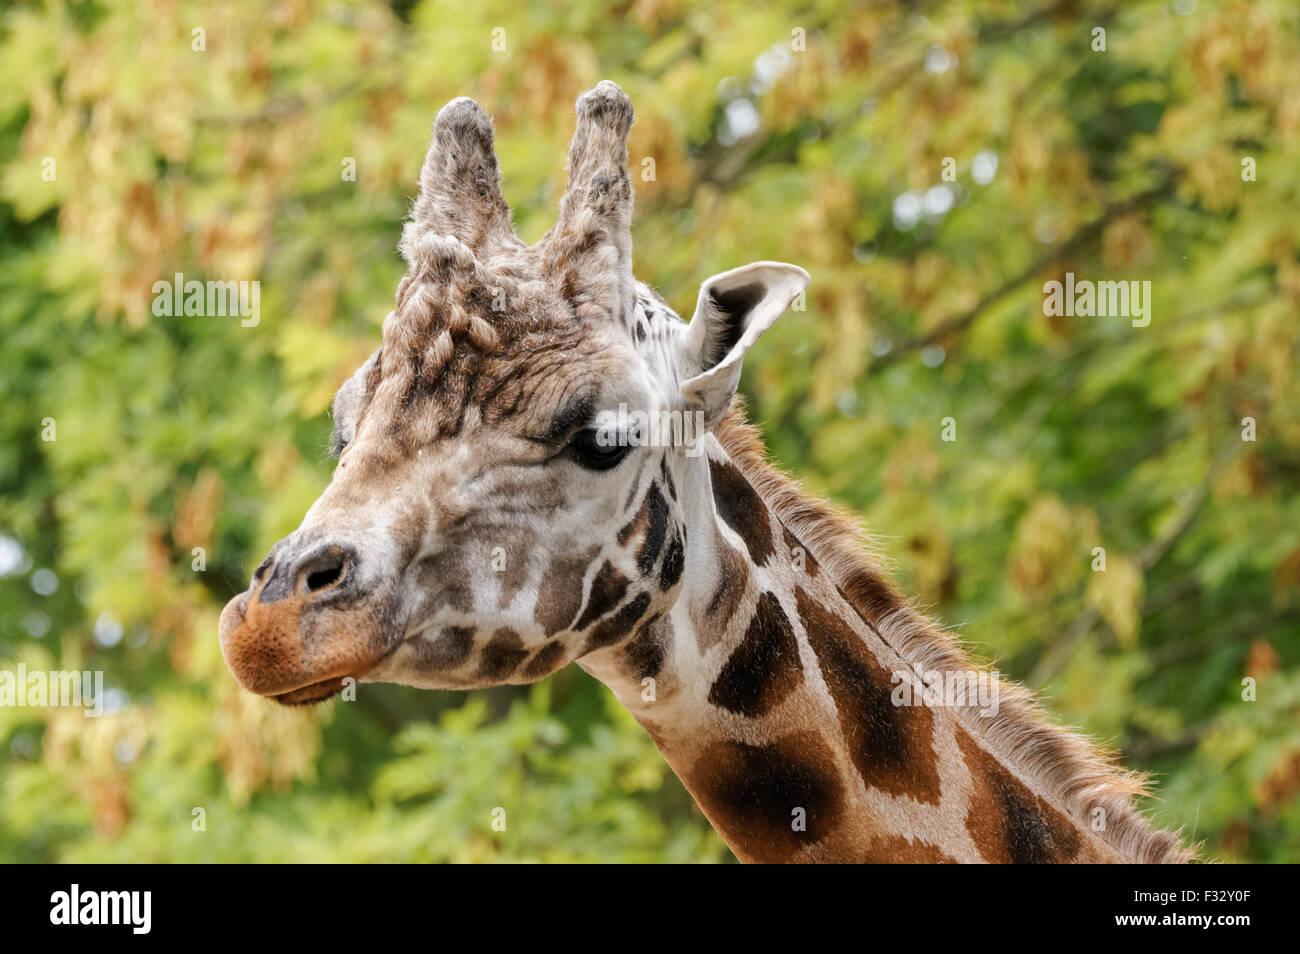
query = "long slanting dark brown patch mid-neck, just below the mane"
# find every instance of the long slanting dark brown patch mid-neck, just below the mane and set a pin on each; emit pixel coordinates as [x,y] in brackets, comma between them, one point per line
[892,747]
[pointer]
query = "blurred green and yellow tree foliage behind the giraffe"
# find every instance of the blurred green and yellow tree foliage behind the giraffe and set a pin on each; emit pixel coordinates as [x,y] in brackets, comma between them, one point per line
[926,303]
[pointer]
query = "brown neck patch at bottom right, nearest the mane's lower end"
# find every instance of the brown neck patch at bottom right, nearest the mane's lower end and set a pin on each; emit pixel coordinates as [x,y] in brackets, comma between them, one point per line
[1009,823]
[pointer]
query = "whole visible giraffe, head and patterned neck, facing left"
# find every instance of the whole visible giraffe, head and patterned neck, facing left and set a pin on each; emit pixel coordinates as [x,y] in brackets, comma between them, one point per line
[497,514]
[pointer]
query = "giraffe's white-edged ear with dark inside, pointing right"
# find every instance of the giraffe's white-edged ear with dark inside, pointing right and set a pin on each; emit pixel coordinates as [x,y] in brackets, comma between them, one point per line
[734,310]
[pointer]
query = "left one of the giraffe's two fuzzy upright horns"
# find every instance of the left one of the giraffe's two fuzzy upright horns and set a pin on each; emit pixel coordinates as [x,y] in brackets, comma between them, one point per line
[461,184]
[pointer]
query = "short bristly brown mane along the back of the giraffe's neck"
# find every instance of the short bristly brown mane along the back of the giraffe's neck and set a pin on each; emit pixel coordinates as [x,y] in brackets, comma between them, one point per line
[1065,764]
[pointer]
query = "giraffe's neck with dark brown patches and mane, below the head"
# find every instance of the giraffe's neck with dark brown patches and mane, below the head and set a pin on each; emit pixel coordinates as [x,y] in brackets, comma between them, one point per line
[775,697]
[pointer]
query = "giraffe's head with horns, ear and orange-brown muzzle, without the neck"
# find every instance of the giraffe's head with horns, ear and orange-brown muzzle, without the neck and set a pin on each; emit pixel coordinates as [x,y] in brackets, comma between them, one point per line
[493,517]
